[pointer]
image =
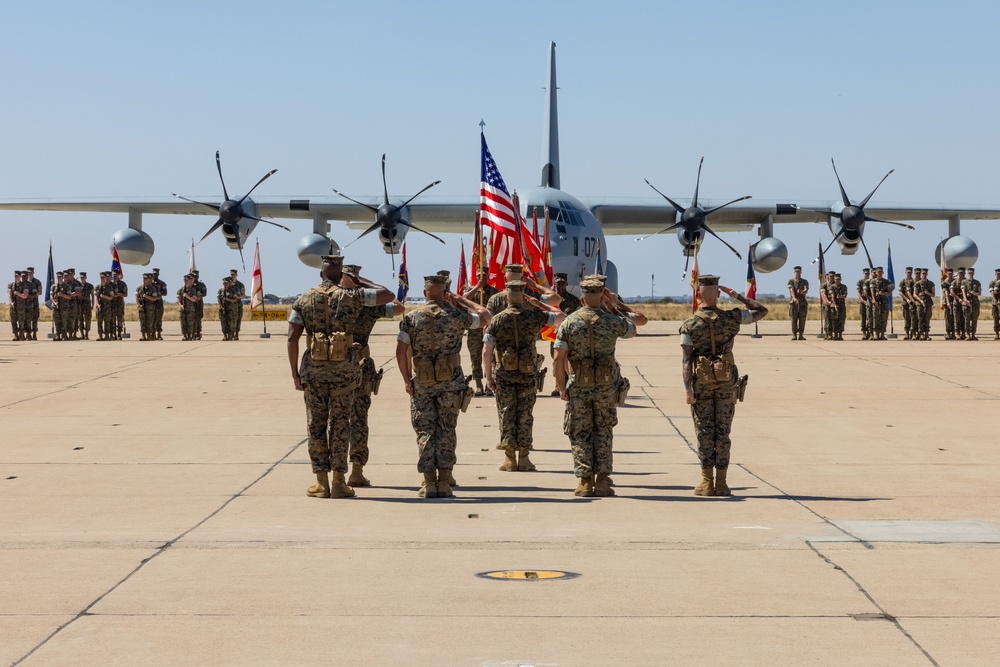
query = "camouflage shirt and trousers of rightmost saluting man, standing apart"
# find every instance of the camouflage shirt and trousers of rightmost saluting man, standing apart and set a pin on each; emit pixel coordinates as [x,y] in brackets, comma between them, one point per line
[714,405]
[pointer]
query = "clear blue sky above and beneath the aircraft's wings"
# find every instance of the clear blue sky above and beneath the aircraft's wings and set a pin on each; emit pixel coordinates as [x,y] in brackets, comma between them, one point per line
[119,99]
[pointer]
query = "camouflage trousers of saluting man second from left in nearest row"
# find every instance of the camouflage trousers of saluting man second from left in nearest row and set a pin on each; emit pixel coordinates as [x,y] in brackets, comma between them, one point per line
[434,416]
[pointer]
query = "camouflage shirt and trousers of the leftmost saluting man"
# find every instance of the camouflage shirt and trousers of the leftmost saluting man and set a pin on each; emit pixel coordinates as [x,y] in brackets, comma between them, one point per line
[329,386]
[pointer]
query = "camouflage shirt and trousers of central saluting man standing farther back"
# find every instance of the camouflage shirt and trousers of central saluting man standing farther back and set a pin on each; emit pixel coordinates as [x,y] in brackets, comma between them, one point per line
[515,330]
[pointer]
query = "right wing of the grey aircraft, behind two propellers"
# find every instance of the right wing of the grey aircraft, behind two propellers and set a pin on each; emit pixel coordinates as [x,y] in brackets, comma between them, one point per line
[645,216]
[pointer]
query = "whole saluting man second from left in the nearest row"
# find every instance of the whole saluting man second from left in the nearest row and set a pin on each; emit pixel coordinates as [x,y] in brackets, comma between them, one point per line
[428,354]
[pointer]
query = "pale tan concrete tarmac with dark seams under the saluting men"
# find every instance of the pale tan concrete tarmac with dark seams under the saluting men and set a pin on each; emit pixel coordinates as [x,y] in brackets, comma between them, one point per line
[153,512]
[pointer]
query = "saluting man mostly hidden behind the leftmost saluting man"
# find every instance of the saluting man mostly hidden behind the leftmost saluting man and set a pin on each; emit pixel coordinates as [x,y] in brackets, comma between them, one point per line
[361,330]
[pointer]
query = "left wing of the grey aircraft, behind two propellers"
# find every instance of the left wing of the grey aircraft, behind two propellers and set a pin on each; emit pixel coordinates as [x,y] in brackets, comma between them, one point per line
[433,214]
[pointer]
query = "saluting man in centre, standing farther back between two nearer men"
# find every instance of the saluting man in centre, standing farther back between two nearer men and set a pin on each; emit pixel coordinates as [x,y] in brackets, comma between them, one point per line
[511,363]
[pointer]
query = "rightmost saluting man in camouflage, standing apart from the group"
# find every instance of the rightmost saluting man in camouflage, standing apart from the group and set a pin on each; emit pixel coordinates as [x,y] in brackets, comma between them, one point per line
[707,340]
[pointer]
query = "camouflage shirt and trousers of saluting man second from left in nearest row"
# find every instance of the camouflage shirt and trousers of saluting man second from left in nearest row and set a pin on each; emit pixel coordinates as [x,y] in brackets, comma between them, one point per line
[434,332]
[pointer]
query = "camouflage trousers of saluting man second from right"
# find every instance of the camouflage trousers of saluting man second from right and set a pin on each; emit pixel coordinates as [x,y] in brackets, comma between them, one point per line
[589,421]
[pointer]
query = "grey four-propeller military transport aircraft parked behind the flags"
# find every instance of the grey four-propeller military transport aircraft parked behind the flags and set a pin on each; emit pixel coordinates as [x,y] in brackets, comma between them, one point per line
[578,225]
